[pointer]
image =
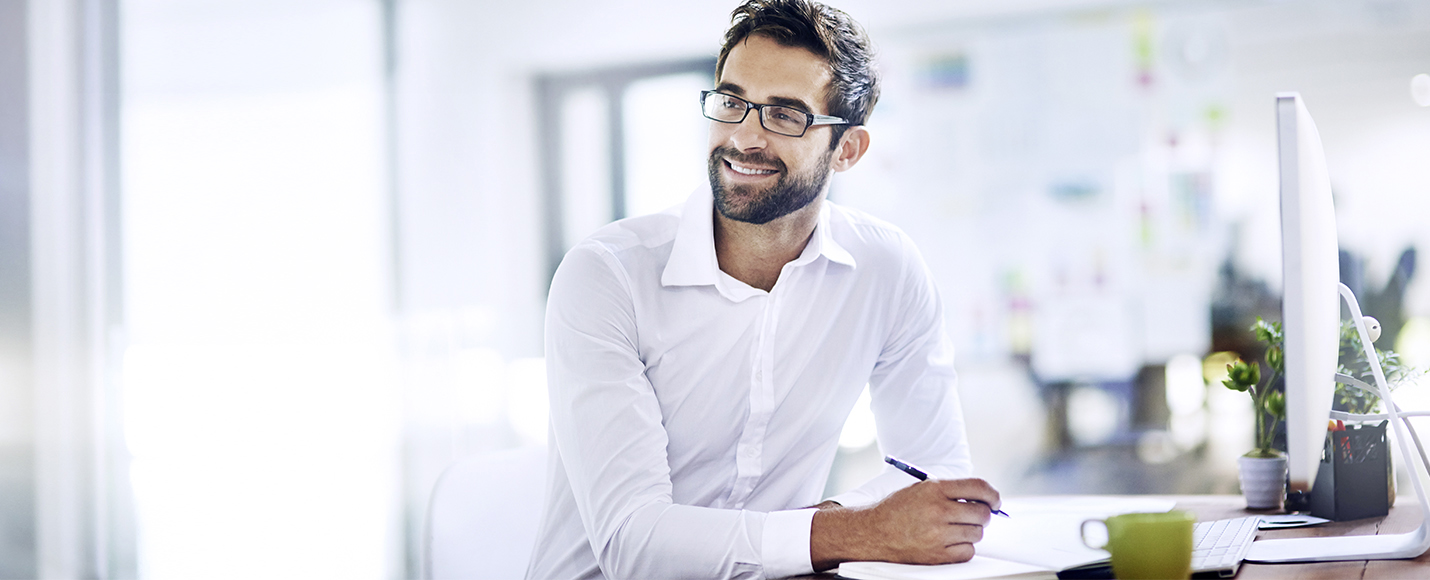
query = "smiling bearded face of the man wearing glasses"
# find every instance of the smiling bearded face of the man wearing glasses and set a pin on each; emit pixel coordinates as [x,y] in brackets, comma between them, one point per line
[759,176]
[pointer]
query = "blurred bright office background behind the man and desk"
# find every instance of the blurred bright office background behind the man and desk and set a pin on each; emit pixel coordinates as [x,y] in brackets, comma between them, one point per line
[267,268]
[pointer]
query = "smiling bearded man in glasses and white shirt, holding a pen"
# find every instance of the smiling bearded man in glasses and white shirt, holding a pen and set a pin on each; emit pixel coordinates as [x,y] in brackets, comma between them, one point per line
[703,361]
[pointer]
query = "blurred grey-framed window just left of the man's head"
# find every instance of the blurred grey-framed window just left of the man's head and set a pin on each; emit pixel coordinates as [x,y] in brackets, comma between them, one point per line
[618,142]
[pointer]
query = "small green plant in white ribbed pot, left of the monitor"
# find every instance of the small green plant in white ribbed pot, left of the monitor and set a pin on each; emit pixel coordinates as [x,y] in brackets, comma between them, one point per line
[1263,469]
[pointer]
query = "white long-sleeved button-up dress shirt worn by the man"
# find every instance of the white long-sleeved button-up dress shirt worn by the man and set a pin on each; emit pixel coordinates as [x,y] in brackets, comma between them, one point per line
[696,418]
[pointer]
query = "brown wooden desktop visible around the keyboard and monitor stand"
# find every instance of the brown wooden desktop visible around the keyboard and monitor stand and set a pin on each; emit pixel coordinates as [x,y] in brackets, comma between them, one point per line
[1404,518]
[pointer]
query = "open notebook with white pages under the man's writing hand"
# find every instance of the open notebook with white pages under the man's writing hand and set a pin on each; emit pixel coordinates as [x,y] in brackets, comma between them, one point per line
[1042,539]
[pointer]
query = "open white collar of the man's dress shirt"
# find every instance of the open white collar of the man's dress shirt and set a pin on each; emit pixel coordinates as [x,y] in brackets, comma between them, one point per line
[693,255]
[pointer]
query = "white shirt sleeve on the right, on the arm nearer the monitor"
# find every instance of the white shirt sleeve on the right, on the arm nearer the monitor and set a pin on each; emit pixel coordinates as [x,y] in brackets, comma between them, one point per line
[914,391]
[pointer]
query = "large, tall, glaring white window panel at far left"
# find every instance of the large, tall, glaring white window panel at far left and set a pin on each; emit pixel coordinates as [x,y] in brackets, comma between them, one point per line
[260,384]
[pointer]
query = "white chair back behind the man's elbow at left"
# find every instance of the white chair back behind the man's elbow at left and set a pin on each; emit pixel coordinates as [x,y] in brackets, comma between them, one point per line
[484,515]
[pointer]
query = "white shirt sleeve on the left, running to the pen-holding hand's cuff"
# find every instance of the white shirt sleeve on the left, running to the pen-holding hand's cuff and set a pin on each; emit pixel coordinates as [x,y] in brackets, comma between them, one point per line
[608,429]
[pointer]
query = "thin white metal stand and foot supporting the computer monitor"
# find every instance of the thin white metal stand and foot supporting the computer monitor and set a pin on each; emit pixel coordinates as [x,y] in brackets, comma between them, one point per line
[1361,548]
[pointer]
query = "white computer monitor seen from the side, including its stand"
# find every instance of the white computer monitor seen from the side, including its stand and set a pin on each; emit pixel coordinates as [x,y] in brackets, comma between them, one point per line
[1311,318]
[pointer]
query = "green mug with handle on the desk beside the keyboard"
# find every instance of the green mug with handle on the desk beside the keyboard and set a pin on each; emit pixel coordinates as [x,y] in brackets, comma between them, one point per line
[1148,546]
